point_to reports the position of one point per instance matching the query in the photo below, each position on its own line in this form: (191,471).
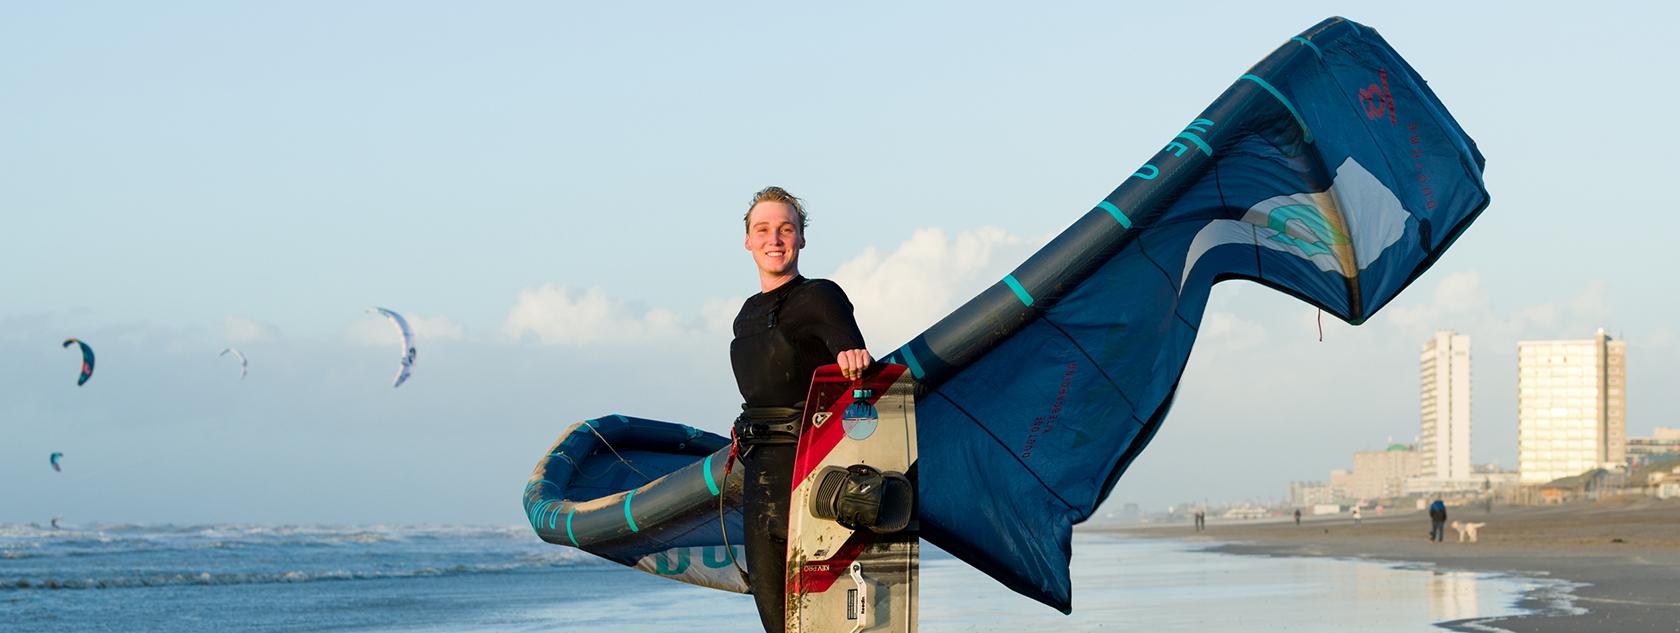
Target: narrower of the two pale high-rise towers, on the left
(1444,390)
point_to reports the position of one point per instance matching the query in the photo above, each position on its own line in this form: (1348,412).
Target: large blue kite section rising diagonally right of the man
(1328,172)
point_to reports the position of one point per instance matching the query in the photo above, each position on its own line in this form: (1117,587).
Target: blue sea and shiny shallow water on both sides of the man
(451,578)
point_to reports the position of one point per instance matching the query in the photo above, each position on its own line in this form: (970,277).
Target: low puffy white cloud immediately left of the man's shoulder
(559,315)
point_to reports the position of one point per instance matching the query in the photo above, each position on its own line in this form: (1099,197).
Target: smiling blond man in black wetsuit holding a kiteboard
(780,338)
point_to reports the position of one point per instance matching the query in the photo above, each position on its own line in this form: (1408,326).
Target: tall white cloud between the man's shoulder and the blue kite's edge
(900,295)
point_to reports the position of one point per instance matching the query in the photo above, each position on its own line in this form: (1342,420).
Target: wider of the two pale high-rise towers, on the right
(1570,407)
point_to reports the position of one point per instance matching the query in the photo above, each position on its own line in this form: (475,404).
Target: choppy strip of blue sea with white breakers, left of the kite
(107,557)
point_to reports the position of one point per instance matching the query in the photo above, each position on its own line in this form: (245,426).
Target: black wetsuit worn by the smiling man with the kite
(782,338)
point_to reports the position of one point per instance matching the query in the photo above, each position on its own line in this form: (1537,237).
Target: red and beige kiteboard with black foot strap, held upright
(854,468)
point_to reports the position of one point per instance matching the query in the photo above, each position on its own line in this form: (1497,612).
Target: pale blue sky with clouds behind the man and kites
(552,194)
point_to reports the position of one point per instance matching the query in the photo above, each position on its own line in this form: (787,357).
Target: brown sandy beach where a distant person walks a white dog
(1625,553)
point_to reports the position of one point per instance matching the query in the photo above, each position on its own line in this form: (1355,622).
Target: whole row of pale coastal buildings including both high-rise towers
(1572,426)
